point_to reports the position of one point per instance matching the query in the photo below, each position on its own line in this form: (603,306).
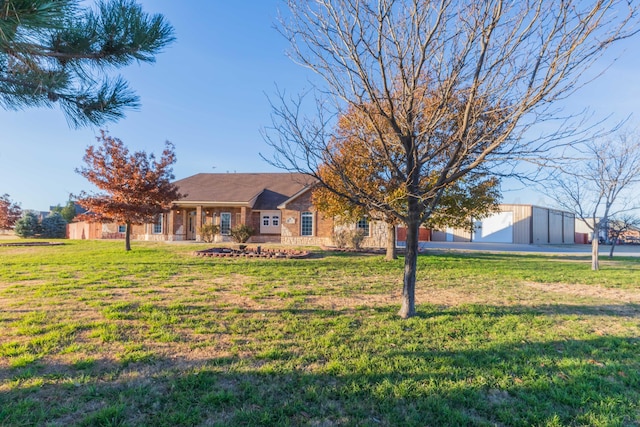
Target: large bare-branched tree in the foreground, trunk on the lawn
(457,82)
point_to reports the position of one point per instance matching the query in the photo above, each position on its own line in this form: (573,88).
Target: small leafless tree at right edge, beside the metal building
(596,183)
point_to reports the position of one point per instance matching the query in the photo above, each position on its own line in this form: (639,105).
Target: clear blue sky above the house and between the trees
(207,93)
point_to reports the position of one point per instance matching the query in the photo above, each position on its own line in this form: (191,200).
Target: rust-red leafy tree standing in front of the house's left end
(135,187)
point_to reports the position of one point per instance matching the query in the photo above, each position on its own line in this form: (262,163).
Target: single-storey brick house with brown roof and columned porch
(277,206)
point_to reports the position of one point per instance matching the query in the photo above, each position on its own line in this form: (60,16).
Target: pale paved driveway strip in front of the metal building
(620,250)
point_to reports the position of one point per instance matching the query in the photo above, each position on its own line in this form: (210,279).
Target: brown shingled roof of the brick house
(260,191)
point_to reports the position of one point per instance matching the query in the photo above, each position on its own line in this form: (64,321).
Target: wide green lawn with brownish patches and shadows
(92,335)
